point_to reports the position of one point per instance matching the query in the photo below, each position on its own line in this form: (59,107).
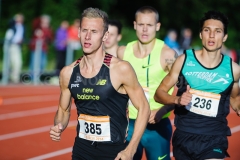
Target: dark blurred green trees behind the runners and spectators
(174,14)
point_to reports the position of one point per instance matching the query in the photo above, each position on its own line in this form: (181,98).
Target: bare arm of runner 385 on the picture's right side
(138,98)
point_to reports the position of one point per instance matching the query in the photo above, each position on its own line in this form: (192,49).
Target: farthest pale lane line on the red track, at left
(30,99)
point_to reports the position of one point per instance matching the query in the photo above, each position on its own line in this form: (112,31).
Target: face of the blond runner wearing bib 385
(91,34)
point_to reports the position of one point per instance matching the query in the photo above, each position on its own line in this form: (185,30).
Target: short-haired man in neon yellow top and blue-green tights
(151,60)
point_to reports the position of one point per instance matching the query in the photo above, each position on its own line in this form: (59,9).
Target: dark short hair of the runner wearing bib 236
(216,15)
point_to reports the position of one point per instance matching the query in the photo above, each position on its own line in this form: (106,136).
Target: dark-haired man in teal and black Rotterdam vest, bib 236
(208,84)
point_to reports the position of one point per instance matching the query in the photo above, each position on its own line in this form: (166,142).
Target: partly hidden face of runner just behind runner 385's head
(113,37)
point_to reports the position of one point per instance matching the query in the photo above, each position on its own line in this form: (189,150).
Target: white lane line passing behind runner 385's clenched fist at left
(31,131)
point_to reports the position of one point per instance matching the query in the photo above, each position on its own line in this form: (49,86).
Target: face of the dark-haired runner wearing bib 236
(212,35)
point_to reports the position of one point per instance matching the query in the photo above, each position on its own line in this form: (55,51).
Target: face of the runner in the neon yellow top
(146,26)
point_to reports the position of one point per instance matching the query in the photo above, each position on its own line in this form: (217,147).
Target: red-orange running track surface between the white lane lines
(38,144)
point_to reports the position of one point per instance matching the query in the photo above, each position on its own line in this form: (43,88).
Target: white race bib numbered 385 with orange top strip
(94,128)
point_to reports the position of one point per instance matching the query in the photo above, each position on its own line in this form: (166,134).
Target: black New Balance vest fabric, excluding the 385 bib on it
(97,97)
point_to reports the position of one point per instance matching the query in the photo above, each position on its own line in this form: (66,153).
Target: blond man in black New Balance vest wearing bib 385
(101,94)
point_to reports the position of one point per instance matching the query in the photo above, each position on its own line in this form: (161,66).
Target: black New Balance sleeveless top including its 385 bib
(102,111)
